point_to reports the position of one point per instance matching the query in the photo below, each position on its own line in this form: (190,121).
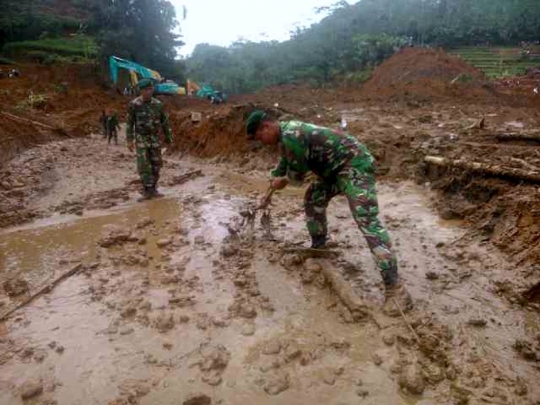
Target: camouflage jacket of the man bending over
(306,147)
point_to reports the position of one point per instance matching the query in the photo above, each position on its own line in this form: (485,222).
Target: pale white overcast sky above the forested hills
(221,22)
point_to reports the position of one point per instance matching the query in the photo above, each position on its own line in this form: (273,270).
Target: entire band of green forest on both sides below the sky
(346,44)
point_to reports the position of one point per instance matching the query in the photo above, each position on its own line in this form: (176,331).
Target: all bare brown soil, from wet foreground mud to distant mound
(167,303)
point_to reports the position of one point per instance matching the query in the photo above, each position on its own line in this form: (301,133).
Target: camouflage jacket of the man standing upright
(144,121)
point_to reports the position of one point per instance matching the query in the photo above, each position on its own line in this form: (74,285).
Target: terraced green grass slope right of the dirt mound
(498,61)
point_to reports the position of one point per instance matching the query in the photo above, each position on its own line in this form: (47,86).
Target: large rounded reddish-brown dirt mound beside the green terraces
(425,74)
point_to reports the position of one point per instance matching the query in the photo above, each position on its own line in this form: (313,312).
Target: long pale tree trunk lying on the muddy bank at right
(487,169)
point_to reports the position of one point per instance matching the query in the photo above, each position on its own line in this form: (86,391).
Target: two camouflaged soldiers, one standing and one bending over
(342,164)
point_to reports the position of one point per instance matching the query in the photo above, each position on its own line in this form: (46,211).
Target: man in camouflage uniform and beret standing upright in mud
(145,118)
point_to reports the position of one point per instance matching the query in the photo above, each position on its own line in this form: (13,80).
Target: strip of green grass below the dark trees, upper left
(80,45)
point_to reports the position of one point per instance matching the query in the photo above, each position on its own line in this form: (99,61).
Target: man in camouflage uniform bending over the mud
(343,166)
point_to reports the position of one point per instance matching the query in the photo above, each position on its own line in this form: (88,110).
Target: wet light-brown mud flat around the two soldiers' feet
(165,307)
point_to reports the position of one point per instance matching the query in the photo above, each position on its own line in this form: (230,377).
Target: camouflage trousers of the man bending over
(358,185)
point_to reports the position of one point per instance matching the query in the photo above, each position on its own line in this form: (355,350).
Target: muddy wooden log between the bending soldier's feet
(343,290)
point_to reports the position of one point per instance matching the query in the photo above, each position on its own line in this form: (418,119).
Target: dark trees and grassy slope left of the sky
(51,30)
